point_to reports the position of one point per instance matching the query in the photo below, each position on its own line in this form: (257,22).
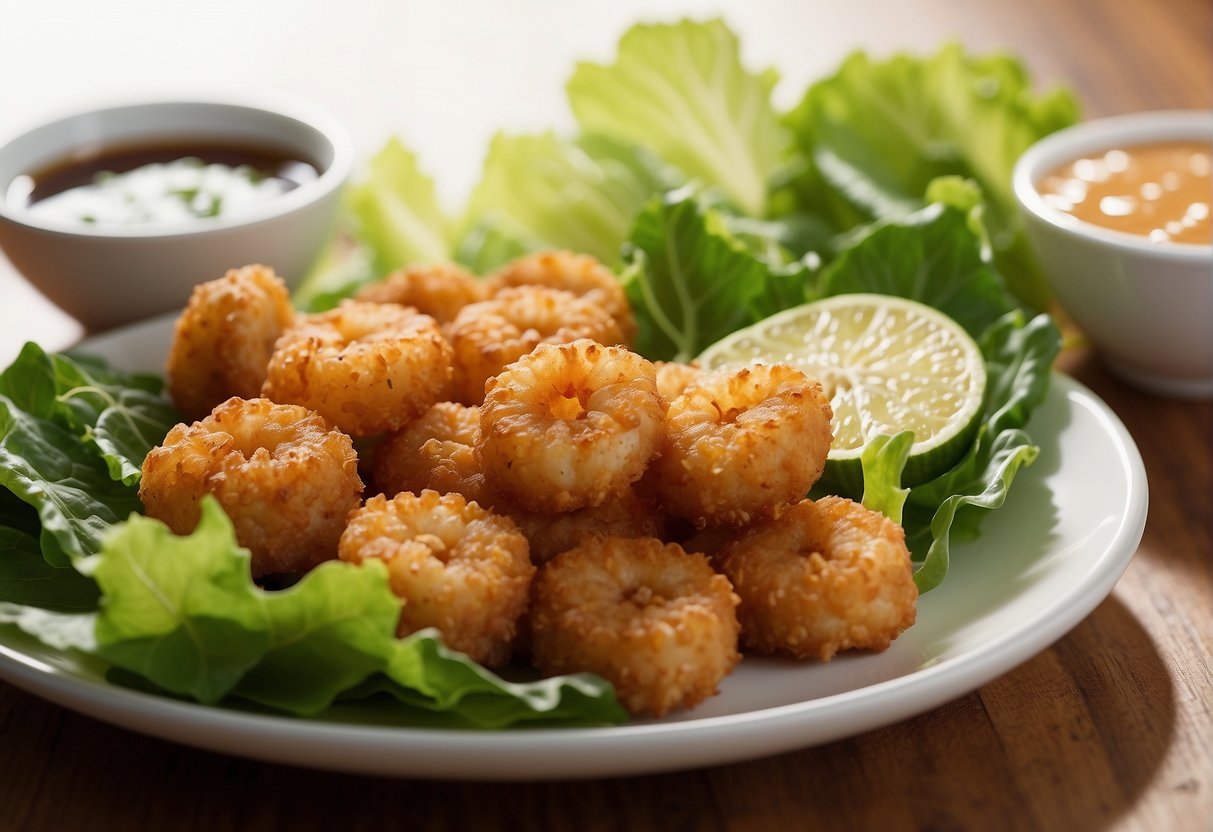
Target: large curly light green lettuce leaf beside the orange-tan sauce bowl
(876,134)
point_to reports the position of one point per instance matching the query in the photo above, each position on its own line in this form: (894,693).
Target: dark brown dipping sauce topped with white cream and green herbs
(157,184)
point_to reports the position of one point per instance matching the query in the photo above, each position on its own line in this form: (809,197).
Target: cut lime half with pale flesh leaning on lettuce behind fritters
(889,364)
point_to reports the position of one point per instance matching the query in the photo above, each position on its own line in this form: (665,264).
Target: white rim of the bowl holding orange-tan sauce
(1106,134)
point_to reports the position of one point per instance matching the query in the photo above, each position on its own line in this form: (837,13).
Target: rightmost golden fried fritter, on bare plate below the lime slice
(823,577)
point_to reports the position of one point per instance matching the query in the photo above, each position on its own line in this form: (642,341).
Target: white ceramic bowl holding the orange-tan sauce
(1147,306)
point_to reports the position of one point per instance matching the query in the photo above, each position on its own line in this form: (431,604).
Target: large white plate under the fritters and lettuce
(1045,561)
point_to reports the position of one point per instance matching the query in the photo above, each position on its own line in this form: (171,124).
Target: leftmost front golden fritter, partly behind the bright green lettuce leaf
(284,477)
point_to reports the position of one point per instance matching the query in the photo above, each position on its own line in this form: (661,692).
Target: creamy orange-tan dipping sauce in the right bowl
(1160,191)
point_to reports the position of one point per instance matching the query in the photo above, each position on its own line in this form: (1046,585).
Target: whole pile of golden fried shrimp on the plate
(538,492)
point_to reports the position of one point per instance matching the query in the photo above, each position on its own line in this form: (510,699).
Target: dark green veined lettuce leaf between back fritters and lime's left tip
(691,282)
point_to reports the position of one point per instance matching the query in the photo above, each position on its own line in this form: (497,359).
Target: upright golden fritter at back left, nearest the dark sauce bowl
(223,341)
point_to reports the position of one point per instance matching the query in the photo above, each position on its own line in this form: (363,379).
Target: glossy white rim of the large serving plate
(523,753)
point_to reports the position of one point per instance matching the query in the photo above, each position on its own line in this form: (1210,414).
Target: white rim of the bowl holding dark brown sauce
(324,126)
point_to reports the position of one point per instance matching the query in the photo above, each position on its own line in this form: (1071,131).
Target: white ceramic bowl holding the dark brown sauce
(107,276)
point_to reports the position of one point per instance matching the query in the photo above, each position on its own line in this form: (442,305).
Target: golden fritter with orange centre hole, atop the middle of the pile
(570,425)
